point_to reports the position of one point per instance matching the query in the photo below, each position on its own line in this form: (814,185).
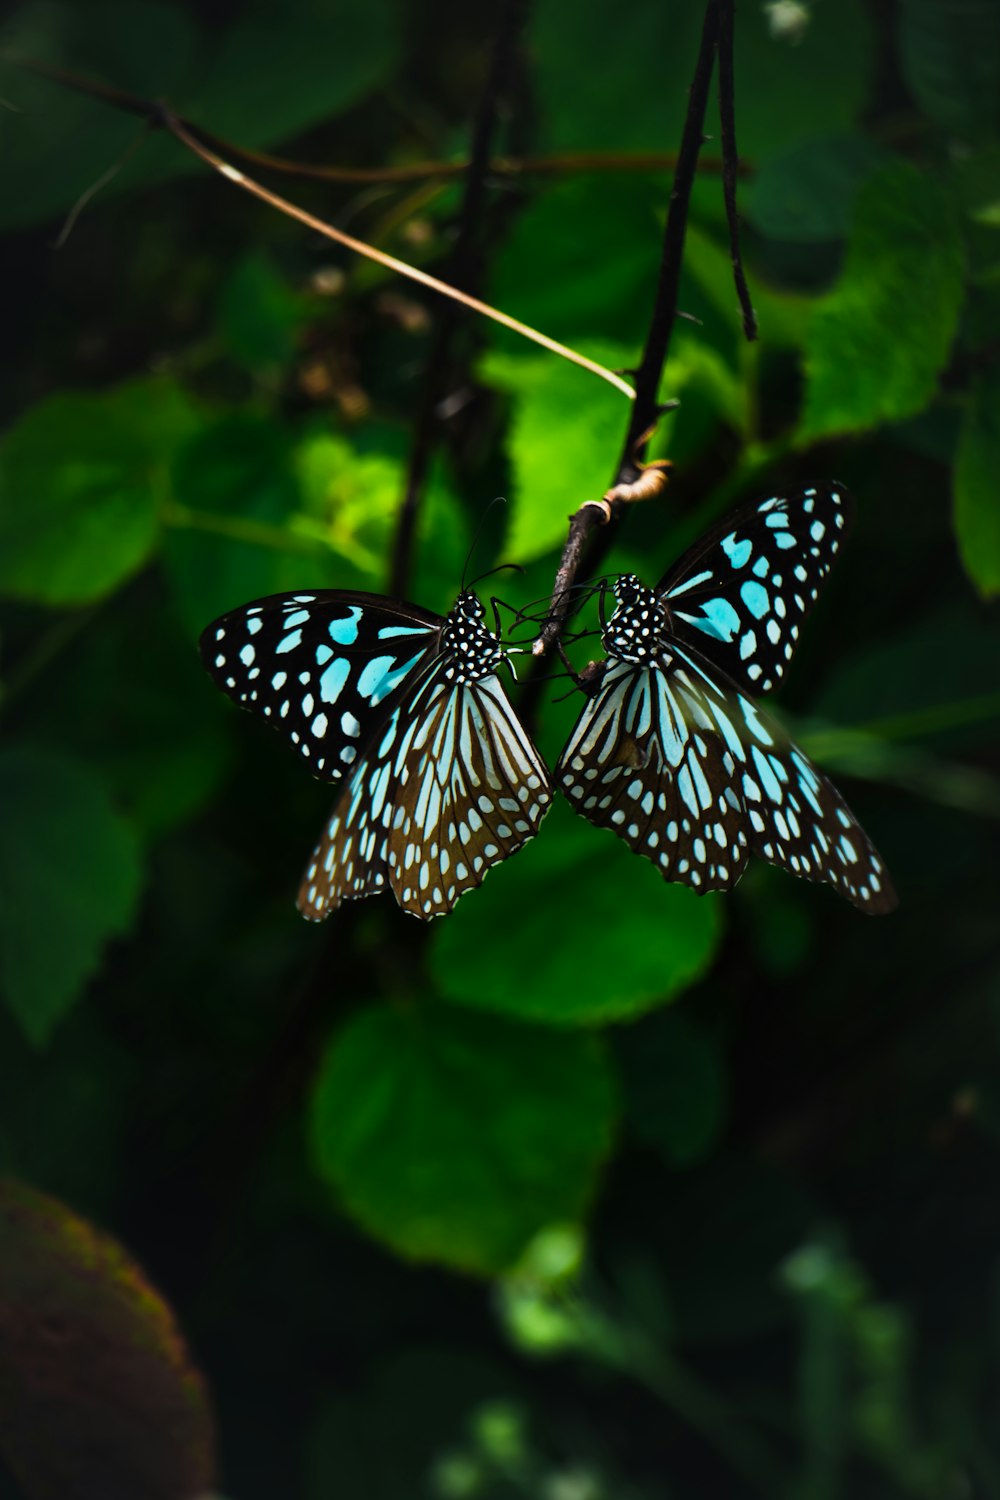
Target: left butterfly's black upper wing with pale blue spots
(323,668)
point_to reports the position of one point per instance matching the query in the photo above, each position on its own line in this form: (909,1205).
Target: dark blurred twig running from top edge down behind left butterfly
(463,272)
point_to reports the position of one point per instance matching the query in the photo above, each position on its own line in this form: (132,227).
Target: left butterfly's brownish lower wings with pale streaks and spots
(452,787)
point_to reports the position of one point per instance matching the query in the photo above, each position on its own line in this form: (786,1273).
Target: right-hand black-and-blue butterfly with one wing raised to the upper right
(675,757)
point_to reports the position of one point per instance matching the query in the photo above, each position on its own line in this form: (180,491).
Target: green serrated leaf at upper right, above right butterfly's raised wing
(879,341)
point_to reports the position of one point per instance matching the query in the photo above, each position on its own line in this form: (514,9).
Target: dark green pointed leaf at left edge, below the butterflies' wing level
(70,883)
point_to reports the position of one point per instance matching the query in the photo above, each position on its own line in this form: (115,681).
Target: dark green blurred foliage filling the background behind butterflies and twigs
(594,1190)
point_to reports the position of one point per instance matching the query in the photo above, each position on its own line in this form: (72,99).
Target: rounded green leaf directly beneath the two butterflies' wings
(576,959)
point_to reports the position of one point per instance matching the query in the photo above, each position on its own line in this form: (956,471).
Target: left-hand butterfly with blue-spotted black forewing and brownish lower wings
(406,712)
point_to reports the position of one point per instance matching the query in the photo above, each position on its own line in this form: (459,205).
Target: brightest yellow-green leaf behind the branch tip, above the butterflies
(564,439)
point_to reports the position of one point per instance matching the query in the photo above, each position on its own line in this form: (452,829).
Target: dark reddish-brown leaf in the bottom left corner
(98,1394)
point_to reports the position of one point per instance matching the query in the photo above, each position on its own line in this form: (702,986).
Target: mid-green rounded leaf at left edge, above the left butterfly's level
(82,482)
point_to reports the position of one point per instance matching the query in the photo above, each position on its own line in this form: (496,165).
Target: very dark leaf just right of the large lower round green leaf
(675,1087)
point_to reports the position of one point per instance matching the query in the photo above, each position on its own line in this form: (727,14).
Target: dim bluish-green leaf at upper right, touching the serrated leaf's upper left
(807,193)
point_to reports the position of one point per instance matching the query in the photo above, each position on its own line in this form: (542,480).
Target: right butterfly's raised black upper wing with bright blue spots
(741,593)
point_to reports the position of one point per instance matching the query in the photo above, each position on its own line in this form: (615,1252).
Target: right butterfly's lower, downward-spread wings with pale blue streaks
(695,776)
